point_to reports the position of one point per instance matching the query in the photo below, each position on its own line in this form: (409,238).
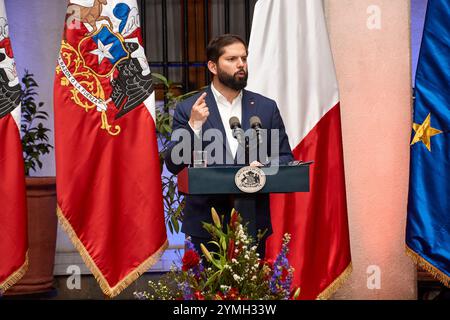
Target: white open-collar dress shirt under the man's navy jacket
(227,110)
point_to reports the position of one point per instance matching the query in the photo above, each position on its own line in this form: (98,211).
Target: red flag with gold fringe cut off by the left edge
(13,212)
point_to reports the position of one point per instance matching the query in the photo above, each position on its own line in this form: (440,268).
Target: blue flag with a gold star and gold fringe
(428,224)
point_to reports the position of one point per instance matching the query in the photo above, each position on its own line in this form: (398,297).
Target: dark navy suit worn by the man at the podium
(198,208)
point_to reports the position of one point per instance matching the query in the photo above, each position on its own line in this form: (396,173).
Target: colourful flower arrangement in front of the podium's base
(233,272)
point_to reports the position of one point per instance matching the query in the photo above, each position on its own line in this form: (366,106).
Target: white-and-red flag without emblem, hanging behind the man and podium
(290,61)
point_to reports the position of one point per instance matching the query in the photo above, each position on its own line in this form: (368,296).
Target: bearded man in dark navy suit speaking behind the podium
(212,109)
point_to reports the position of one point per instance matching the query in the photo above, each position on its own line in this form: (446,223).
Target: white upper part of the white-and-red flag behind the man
(304,85)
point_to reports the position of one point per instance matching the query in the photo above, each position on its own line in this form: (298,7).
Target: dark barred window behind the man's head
(176,33)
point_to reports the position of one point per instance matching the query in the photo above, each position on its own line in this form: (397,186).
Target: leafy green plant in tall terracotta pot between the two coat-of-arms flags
(41,195)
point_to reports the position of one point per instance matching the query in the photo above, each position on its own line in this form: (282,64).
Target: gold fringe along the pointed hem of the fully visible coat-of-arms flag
(104,285)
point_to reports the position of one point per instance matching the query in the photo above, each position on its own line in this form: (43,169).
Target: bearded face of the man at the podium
(231,69)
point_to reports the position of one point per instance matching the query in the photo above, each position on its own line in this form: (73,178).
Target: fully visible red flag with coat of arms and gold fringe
(107,164)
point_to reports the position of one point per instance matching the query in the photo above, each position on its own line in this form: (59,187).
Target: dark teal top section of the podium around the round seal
(221,180)
